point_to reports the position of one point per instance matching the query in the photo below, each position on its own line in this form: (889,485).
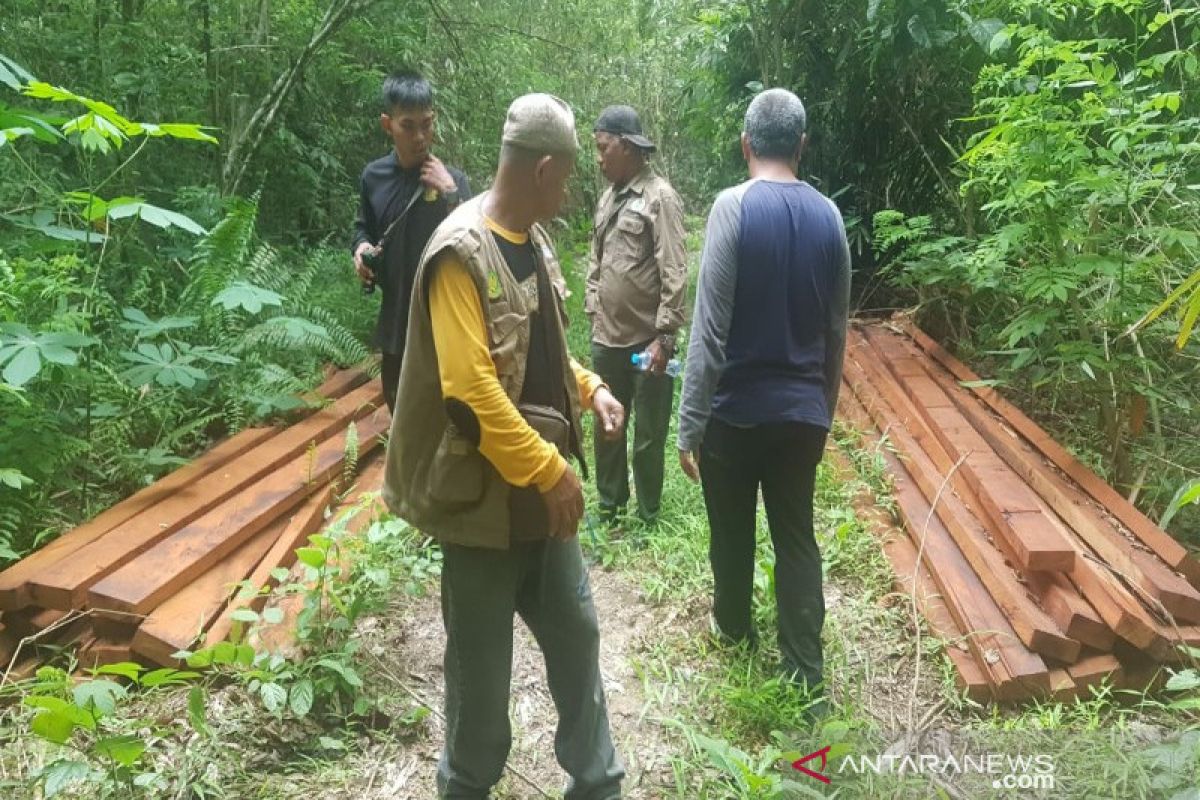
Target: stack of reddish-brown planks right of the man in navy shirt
(1041,579)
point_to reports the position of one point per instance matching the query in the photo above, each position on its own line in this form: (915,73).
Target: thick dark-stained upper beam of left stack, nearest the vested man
(158,574)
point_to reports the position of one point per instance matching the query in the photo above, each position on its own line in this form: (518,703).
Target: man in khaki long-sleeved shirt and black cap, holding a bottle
(638,276)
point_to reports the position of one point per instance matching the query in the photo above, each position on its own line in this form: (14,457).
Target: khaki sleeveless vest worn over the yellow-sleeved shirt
(436,479)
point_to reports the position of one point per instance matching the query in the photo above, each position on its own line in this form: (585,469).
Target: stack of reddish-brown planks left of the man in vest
(159,573)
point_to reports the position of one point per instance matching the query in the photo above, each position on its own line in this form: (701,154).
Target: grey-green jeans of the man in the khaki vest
(548,585)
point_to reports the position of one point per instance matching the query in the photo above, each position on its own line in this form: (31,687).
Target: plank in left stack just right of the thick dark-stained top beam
(177,624)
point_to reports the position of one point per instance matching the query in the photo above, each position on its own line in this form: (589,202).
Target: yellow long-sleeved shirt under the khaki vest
(469,375)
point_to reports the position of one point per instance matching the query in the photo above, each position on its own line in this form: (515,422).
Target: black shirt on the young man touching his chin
(385,191)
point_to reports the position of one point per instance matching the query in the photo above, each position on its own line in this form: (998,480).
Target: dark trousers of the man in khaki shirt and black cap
(649,399)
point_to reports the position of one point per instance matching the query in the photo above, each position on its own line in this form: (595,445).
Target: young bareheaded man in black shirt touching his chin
(403,199)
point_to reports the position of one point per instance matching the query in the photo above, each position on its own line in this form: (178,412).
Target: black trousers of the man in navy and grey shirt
(783,460)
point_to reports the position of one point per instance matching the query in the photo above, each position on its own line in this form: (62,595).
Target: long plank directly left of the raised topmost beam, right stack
(1037,630)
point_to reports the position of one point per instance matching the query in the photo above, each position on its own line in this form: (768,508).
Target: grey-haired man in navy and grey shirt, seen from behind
(761,381)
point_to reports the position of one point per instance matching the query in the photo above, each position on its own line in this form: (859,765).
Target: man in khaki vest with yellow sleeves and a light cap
(488,413)
